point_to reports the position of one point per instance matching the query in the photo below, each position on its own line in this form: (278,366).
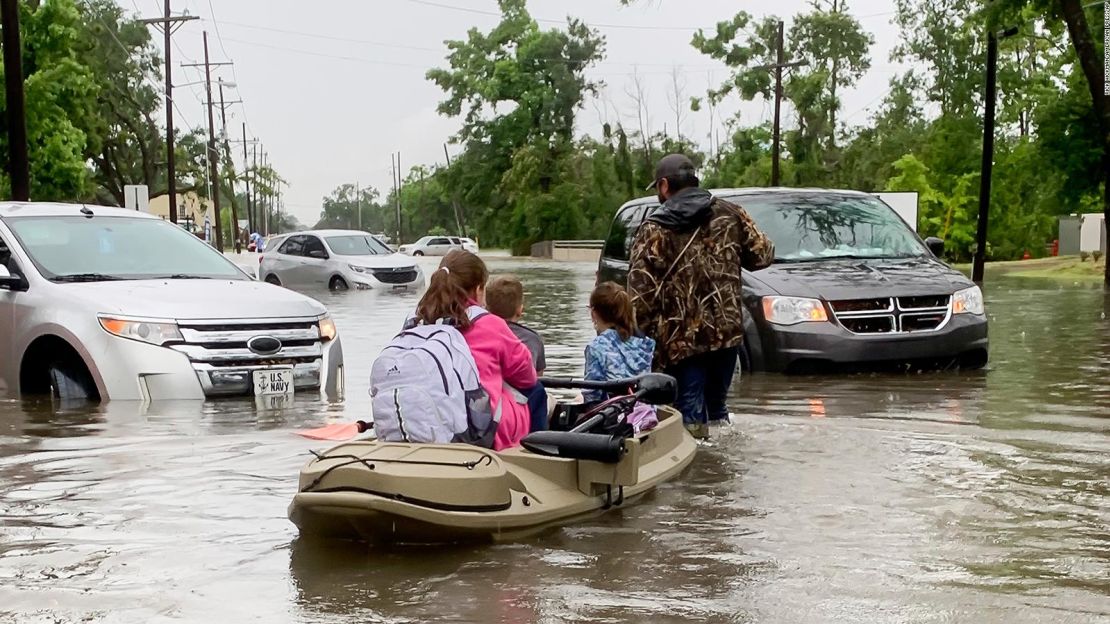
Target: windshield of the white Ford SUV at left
(122,248)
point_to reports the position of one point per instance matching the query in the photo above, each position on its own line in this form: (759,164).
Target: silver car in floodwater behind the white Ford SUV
(340,259)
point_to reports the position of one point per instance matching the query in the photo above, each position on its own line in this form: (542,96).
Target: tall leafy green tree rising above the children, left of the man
(518,89)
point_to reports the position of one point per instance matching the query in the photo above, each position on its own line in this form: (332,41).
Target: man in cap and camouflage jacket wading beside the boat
(684,277)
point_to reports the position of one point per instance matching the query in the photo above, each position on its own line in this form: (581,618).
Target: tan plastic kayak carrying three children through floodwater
(442,494)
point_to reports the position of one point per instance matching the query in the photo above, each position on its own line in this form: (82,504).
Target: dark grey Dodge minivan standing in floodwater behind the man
(853,287)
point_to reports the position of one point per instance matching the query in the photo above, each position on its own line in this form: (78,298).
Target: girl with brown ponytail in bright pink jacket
(504,364)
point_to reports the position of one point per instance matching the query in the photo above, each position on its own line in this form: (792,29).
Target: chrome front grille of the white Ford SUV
(225,364)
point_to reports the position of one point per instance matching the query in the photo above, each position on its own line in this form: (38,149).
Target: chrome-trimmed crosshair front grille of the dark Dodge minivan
(893,315)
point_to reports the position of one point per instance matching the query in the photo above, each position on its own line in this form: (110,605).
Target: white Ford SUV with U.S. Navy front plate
(117,305)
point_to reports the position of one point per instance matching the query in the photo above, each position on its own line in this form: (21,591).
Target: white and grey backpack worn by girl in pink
(426,388)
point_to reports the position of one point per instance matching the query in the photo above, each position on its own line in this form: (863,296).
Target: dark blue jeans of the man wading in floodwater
(703,385)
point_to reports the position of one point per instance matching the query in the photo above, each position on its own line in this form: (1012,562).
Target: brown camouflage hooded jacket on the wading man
(684,275)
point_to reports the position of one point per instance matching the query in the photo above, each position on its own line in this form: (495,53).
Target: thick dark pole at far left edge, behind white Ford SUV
(18,163)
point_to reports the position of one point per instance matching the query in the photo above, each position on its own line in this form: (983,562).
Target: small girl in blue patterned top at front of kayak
(620,351)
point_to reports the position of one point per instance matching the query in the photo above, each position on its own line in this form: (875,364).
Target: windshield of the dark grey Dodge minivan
(810,227)
